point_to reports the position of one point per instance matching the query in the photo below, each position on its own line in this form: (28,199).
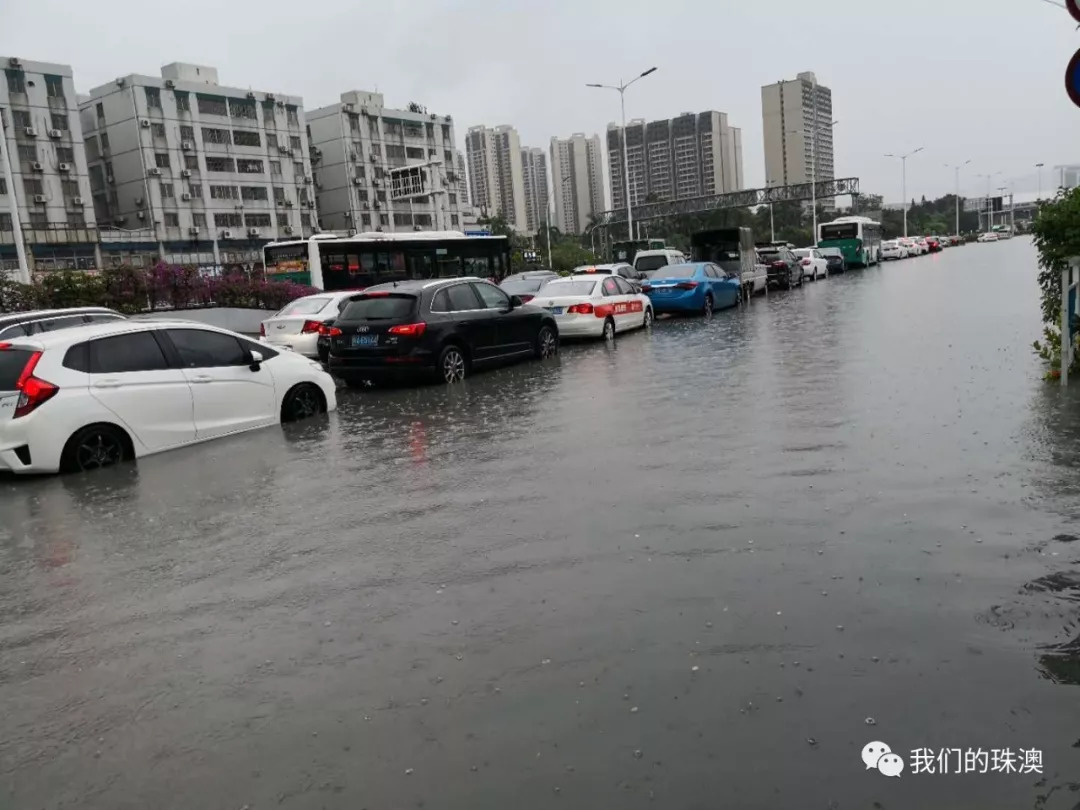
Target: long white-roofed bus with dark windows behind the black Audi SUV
(329,262)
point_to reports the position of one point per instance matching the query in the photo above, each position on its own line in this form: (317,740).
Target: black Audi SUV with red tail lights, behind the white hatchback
(441,329)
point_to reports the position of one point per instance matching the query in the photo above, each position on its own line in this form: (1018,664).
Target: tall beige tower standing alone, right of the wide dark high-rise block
(796,118)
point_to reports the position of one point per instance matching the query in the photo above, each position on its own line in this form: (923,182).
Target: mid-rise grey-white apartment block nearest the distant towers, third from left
(359,142)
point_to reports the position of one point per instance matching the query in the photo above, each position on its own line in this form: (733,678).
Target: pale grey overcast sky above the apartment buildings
(979,79)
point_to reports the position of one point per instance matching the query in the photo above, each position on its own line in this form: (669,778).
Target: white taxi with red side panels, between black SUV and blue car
(595,306)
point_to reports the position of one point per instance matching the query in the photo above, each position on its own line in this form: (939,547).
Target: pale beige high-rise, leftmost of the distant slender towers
(496,174)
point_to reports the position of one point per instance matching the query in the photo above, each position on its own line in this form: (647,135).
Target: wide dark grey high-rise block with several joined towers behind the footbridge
(693,155)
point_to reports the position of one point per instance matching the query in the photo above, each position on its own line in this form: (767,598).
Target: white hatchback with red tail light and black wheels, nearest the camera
(92,397)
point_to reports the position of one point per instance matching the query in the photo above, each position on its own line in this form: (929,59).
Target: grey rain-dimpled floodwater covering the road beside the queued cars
(701,569)
